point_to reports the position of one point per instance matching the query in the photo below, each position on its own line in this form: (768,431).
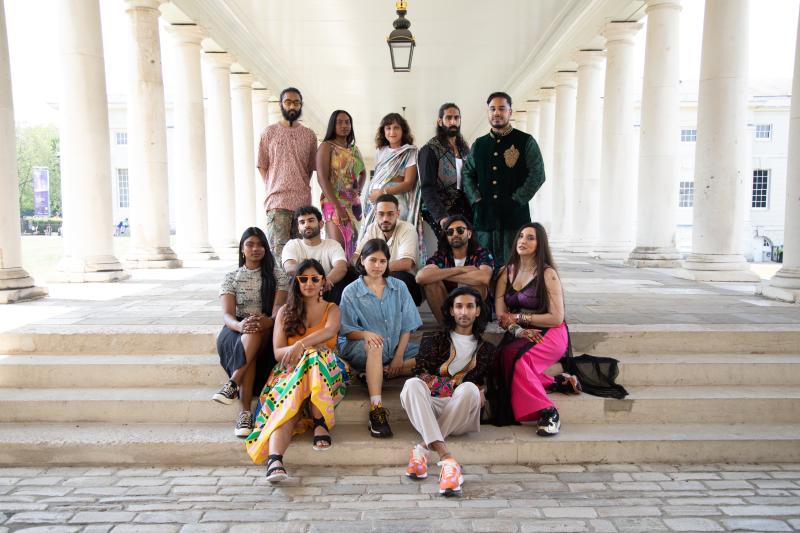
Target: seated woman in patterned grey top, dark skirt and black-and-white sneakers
(250,296)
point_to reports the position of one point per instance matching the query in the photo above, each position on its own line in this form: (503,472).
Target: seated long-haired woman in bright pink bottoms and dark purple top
(530,306)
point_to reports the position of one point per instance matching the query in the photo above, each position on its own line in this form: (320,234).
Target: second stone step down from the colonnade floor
(203,370)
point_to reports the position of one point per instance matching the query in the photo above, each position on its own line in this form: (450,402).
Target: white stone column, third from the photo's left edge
(147,141)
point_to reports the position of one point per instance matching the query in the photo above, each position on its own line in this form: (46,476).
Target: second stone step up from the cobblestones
(738,404)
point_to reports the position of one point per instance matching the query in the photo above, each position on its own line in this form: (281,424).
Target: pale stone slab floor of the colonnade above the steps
(597,293)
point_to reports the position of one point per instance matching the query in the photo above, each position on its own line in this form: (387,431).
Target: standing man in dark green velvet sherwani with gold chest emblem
(500,176)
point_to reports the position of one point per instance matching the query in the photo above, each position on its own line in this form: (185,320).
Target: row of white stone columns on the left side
(238,108)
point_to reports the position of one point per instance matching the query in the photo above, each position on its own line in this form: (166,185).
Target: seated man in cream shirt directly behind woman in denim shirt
(402,239)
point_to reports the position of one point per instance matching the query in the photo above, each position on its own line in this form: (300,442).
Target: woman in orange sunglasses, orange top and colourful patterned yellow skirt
(308,381)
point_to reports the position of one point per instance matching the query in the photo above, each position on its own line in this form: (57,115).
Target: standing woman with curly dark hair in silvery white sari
(395,170)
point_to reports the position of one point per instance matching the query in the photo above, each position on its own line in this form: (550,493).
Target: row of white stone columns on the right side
(601,203)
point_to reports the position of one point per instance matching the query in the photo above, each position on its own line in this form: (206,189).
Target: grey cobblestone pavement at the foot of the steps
(601,498)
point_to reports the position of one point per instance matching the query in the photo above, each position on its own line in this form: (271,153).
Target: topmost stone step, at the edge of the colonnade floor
(598,339)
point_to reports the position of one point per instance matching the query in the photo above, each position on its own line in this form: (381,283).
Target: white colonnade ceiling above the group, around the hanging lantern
(335,51)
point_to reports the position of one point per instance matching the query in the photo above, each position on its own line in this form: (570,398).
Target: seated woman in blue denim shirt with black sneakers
(378,316)
